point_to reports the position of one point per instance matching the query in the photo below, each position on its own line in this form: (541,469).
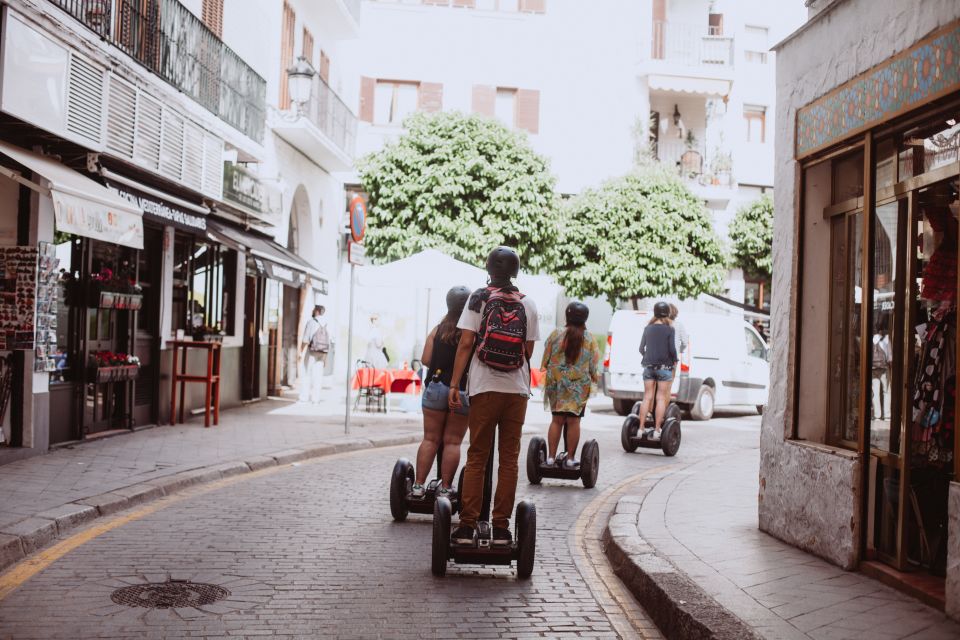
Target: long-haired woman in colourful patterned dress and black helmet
(570,357)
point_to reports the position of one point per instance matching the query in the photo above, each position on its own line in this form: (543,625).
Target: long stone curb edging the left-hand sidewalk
(21,539)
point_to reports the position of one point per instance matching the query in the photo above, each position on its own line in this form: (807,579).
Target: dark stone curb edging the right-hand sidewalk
(680,608)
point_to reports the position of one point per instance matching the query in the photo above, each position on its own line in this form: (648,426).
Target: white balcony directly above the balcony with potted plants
(689,59)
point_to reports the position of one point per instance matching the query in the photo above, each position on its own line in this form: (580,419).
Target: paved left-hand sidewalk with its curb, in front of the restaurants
(44,495)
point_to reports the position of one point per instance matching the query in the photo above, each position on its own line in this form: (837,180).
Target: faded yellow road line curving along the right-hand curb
(599,576)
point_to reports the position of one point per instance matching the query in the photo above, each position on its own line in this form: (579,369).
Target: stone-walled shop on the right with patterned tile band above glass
(858,453)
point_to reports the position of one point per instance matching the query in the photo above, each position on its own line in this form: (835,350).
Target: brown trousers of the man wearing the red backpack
(487,411)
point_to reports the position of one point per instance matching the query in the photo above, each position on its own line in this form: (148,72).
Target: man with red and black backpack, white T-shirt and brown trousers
(502,323)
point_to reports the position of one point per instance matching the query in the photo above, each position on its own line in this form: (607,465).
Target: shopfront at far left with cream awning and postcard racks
(68,319)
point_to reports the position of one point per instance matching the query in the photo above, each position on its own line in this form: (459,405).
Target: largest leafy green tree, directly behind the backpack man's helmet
(461,184)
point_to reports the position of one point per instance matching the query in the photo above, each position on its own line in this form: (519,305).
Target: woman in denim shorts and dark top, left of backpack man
(441,425)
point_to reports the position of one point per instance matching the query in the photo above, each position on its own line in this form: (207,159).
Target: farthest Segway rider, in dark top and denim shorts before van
(659,349)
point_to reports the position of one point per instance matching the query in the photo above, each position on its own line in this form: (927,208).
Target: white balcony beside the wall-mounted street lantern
(325,129)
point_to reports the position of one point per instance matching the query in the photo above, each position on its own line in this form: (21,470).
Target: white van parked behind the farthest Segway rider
(725,363)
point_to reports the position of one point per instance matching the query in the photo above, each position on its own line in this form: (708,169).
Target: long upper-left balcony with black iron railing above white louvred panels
(166,38)
